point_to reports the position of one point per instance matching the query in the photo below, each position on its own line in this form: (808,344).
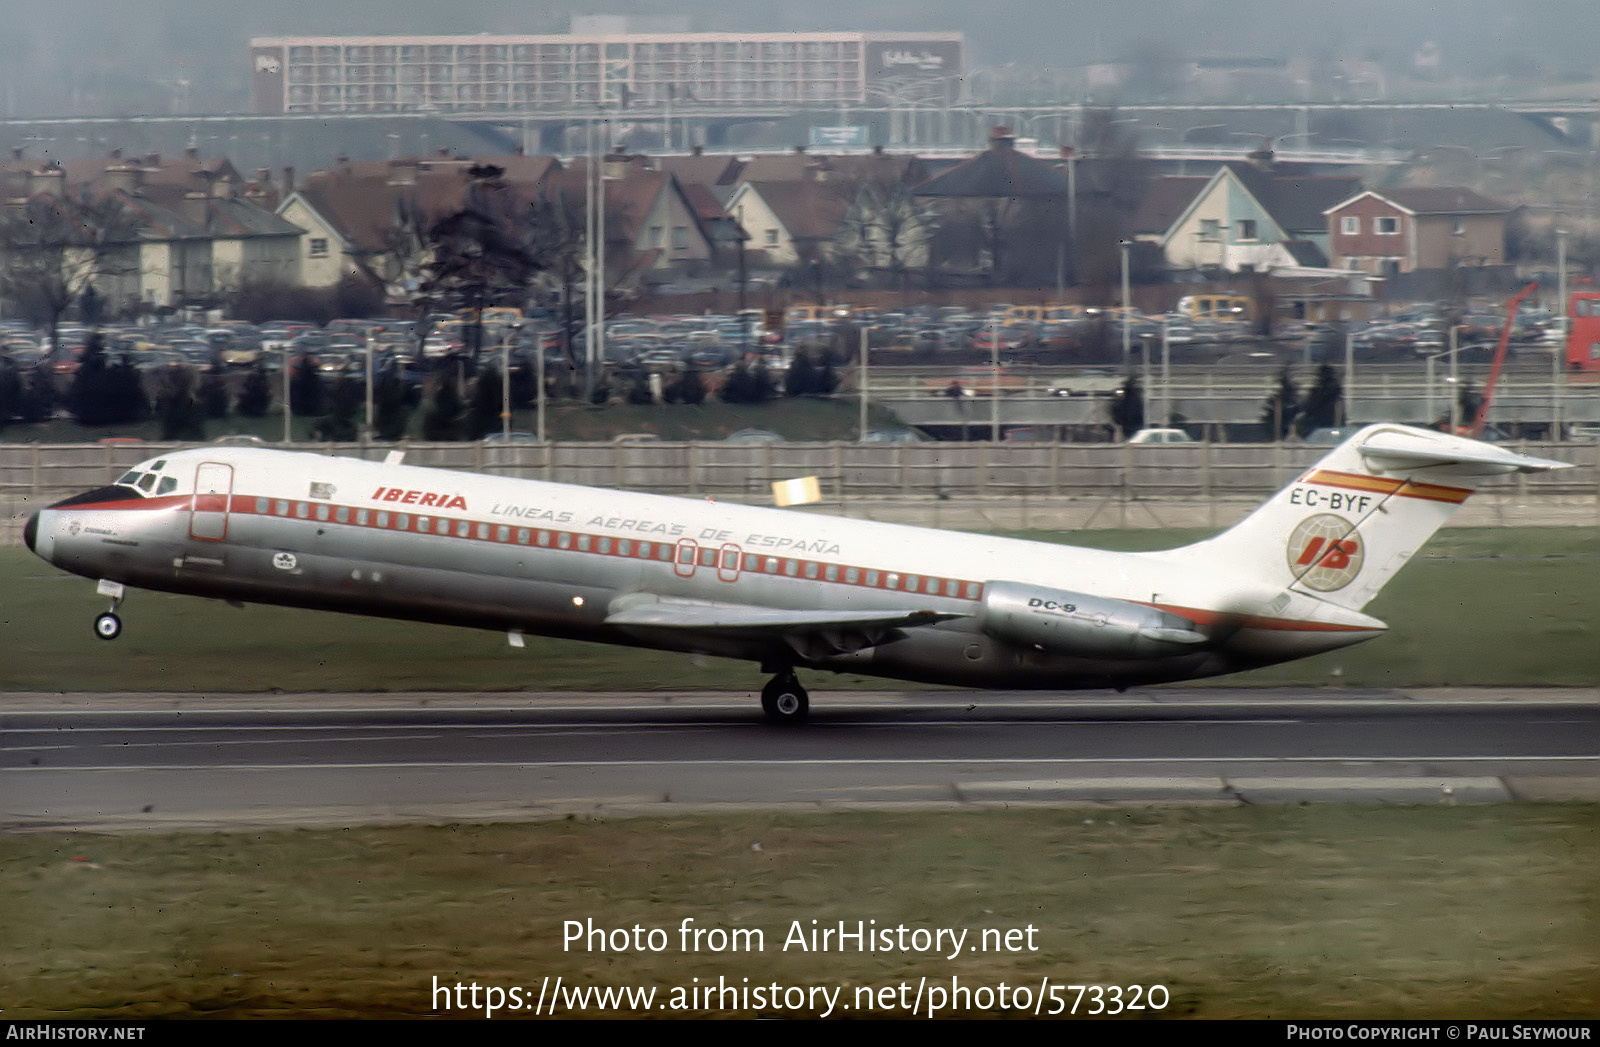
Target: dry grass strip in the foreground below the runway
(1326,912)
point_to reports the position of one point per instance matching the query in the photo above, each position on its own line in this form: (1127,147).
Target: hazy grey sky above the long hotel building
(63,54)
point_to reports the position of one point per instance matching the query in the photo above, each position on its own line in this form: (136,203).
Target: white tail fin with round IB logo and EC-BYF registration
(1346,526)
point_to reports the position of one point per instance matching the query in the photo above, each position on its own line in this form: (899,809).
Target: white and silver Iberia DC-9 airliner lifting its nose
(777,587)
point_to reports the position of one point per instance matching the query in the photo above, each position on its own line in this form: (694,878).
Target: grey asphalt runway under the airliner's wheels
(140,763)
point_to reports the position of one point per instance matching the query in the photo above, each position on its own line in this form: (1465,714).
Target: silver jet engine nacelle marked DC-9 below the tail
(1076,624)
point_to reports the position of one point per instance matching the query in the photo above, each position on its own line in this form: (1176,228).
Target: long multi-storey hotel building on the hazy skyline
(622,71)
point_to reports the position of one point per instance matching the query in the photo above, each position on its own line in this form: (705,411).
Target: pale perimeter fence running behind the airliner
(937,484)
